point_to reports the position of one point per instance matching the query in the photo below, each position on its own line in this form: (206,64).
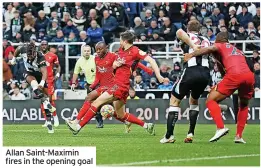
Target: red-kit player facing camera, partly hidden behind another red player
(104,78)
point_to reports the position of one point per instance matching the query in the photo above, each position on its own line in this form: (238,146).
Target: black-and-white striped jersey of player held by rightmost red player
(196,61)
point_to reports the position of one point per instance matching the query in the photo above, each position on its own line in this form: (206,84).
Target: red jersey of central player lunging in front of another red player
(127,58)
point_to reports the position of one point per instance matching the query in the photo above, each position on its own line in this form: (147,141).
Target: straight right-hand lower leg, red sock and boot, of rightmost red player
(241,120)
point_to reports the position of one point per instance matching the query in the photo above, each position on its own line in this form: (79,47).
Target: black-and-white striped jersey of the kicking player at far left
(32,65)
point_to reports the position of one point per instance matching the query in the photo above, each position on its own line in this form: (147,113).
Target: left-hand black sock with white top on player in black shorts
(171,121)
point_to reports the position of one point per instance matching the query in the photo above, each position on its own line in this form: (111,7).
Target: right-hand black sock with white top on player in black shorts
(193,116)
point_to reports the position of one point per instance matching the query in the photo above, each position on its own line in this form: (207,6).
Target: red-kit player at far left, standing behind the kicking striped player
(51,61)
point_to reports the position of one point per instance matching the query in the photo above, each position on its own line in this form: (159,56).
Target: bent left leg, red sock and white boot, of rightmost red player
(215,112)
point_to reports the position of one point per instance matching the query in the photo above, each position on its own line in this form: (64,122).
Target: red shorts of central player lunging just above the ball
(120,92)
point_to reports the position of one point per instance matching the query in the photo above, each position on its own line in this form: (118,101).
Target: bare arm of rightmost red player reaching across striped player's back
(202,51)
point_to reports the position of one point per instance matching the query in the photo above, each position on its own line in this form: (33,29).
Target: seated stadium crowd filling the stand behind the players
(94,22)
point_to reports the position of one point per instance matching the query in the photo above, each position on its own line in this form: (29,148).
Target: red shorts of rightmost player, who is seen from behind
(243,82)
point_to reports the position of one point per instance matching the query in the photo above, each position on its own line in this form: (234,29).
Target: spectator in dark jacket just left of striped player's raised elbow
(168,30)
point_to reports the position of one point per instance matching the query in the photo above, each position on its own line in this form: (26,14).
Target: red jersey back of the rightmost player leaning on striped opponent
(232,58)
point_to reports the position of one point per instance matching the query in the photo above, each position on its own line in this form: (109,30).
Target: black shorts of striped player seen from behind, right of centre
(194,79)
